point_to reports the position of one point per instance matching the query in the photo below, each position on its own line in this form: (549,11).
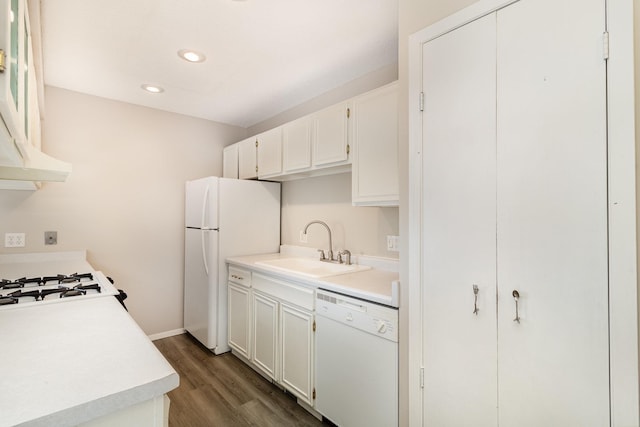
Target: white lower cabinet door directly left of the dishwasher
(297,350)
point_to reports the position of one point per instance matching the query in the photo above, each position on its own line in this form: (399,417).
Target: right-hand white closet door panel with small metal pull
(552,215)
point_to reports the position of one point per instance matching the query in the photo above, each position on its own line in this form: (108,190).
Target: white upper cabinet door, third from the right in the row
(296,145)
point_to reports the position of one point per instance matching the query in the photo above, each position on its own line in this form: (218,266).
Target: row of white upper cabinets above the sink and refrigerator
(326,142)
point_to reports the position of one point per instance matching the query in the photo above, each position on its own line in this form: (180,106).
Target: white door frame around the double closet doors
(623,288)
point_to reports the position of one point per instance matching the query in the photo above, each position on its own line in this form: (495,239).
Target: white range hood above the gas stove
(35,166)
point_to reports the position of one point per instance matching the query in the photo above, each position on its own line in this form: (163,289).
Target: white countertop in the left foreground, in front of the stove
(63,364)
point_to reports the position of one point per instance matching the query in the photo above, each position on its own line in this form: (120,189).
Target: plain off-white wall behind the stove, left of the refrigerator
(123,201)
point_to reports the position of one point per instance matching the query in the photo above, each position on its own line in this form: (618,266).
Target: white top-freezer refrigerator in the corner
(224,218)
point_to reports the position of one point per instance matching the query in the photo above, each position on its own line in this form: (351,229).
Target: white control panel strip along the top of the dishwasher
(367,316)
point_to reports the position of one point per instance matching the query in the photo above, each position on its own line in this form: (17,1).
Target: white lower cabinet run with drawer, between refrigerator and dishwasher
(271,325)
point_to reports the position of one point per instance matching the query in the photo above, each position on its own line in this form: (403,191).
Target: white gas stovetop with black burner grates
(36,279)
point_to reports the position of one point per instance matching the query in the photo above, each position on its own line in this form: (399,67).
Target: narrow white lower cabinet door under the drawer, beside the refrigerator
(239,319)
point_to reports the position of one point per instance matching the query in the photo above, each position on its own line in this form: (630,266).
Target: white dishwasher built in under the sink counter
(356,361)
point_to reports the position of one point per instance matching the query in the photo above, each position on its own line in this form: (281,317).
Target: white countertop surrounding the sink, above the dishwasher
(377,285)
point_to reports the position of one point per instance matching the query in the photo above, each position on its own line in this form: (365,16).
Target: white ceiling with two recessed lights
(263,56)
